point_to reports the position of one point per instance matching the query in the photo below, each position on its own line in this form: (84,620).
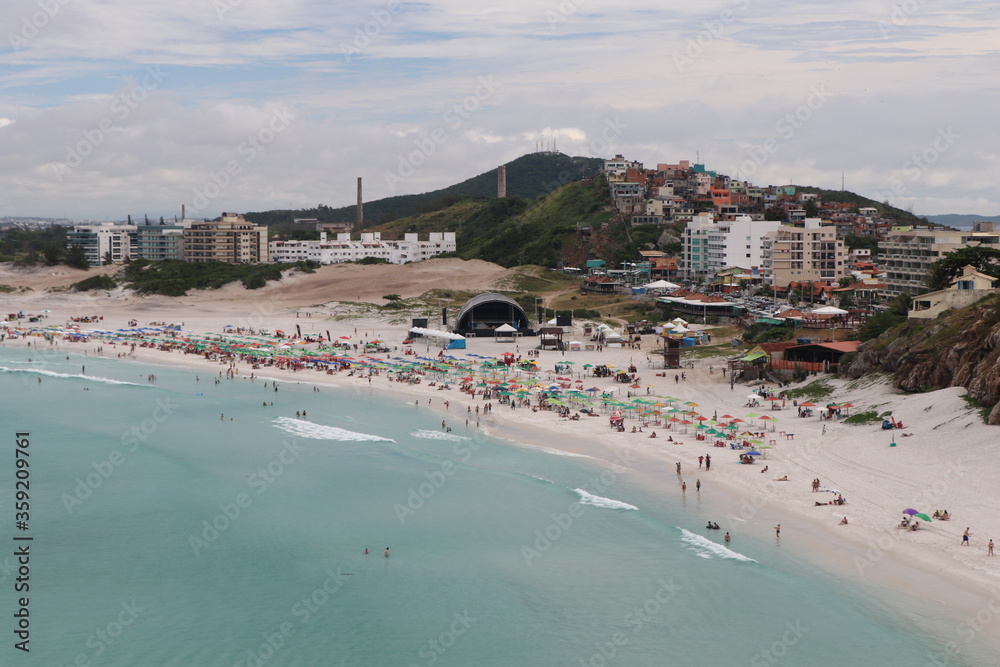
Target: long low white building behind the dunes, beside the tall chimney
(343,249)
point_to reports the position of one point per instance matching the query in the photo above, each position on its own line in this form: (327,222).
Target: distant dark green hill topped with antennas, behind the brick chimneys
(528,176)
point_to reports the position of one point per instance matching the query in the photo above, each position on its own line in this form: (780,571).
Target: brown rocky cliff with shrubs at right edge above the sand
(961,348)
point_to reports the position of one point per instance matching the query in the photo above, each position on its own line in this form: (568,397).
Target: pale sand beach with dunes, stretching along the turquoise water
(947,463)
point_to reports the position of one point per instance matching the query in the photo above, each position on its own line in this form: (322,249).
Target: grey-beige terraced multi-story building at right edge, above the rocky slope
(906,256)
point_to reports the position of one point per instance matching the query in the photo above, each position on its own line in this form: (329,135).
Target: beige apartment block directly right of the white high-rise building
(797,254)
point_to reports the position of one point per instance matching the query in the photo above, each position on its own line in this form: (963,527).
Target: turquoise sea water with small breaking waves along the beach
(164,535)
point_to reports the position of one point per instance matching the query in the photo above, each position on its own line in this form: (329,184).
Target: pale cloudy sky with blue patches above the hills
(115,107)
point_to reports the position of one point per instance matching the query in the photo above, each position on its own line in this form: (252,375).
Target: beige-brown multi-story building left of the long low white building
(232,240)
